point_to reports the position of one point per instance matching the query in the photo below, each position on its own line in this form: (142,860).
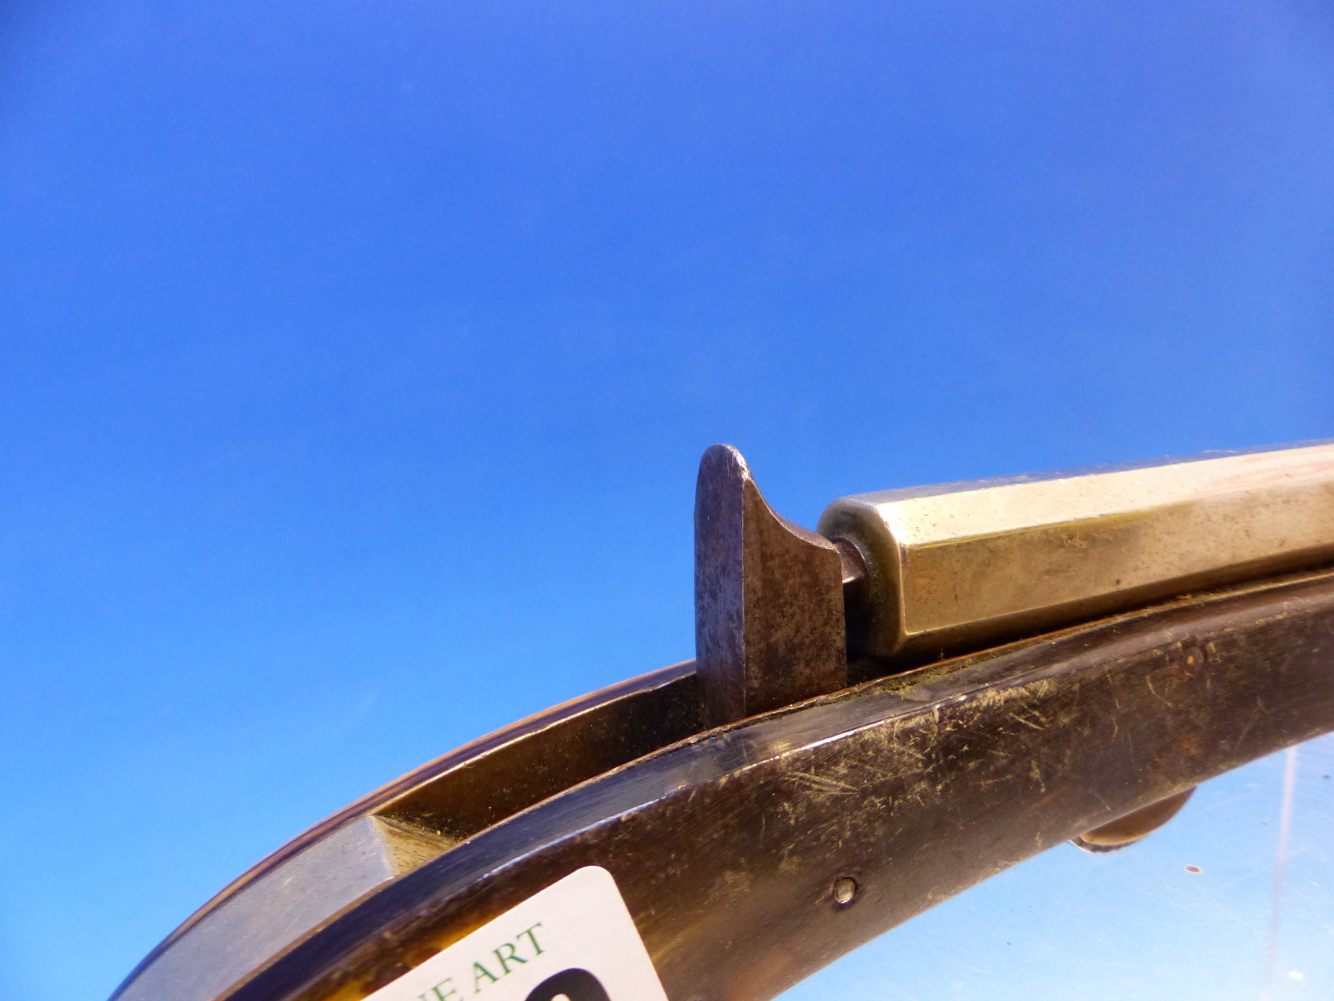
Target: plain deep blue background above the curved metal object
(356,357)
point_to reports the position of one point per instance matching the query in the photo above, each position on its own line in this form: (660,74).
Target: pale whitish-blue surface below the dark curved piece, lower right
(1136,924)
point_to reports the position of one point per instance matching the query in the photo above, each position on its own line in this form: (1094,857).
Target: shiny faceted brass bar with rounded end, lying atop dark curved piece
(966,565)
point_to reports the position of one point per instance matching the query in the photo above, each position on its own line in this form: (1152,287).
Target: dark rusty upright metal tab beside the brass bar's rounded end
(769,600)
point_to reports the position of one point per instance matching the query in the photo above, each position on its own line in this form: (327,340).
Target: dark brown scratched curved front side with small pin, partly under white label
(729,847)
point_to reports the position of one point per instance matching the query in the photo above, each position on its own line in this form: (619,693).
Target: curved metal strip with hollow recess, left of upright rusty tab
(406,824)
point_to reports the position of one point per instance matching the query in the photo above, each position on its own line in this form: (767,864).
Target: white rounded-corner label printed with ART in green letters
(574,942)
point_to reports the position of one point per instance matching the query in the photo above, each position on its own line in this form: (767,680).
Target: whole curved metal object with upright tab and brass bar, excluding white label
(814,816)
